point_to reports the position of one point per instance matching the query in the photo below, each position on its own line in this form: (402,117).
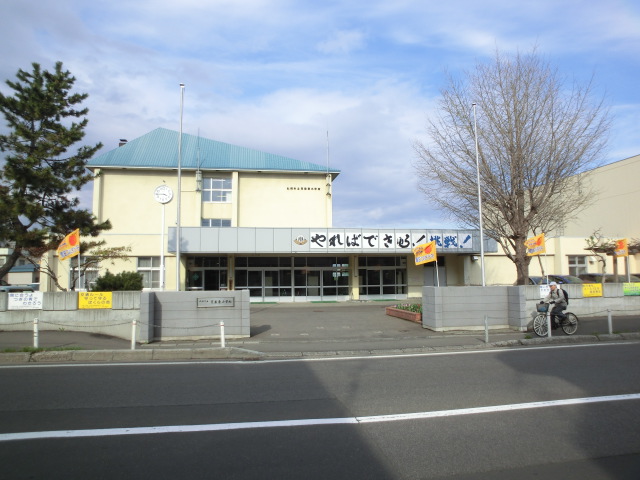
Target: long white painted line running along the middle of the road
(107,432)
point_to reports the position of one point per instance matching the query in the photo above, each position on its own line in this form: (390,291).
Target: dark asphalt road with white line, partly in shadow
(489,414)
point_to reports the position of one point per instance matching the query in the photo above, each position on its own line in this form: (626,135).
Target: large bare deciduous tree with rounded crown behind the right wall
(536,138)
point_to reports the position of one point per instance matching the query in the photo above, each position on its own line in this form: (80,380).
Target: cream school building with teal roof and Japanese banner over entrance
(199,214)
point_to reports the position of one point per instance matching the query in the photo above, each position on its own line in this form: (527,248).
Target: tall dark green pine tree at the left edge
(41,168)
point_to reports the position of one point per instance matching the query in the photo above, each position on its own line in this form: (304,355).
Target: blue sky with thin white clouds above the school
(276,75)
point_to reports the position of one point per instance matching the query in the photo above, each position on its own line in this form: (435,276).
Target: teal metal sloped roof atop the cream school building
(158,149)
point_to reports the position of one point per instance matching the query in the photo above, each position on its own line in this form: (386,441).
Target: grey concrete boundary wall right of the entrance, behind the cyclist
(514,307)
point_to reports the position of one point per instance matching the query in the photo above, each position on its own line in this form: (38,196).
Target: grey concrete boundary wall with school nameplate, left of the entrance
(159,315)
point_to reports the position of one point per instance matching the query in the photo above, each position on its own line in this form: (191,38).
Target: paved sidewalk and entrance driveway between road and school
(301,330)
